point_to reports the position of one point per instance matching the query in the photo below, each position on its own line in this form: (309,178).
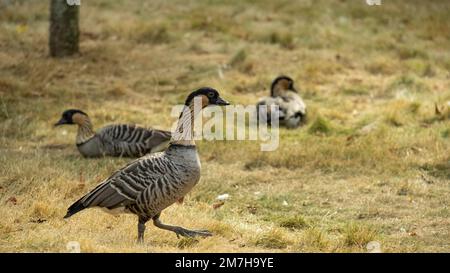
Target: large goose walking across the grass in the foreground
(151,183)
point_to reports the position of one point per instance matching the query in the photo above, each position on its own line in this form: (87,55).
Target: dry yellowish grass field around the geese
(371,164)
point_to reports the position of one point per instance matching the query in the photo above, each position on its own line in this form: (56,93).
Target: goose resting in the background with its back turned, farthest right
(292,109)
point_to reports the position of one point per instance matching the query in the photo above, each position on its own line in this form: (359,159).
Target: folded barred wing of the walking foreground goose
(124,186)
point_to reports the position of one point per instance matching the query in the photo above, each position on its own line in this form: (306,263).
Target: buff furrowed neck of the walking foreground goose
(184,133)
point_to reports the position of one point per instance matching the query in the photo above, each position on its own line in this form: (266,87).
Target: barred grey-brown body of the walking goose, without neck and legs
(147,185)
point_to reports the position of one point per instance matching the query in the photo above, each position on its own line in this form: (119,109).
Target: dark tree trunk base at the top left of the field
(64,31)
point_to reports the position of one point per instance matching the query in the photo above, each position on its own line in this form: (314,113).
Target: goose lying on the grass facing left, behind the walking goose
(114,140)
